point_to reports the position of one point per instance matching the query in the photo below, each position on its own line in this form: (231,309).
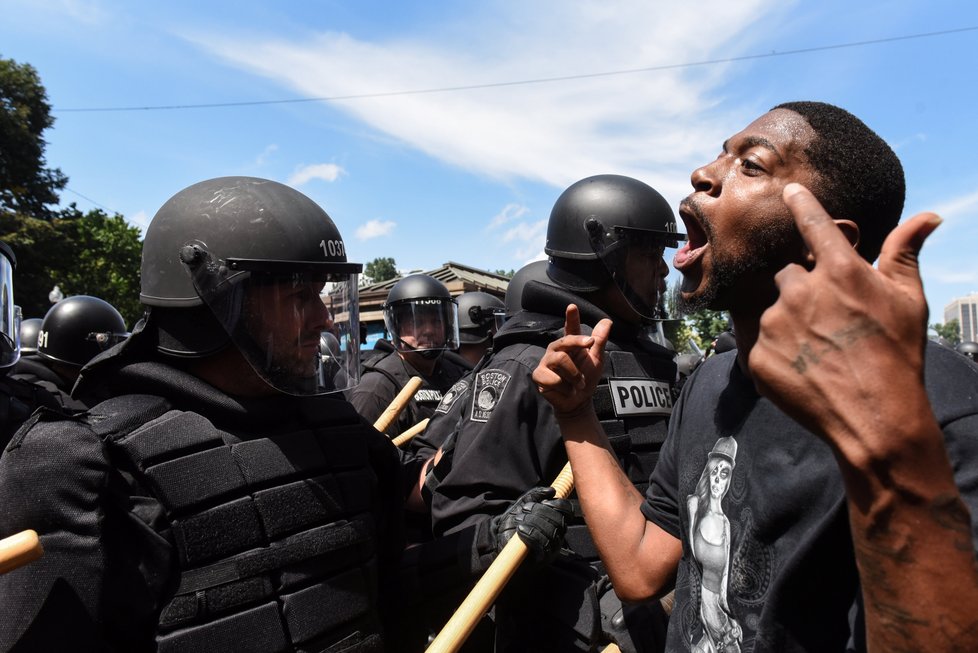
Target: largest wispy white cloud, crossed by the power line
(655,125)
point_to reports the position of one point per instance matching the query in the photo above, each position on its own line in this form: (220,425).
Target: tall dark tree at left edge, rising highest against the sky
(27,186)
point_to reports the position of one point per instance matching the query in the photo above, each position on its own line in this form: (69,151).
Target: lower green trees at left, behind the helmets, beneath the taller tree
(83,253)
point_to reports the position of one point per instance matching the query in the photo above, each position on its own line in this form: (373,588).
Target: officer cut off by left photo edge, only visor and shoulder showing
(18,398)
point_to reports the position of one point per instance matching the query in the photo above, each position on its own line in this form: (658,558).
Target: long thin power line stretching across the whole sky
(524,82)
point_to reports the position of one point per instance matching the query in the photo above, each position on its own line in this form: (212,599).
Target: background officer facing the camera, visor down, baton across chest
(422,318)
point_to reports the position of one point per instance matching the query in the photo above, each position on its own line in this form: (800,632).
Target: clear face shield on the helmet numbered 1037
(296,323)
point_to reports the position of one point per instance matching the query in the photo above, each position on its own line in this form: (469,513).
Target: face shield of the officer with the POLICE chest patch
(634,258)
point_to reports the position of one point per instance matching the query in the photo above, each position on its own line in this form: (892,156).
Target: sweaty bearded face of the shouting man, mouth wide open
(740,231)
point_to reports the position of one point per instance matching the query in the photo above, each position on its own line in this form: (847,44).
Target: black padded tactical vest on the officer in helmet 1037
(274,536)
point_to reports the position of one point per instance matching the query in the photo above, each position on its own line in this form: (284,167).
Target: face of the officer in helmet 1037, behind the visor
(285,320)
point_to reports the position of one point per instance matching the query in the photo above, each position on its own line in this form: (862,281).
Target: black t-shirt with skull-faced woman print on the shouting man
(771,564)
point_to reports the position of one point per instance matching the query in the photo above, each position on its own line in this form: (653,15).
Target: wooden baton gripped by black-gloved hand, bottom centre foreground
(482,596)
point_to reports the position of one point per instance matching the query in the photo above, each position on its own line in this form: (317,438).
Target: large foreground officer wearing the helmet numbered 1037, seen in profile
(221,498)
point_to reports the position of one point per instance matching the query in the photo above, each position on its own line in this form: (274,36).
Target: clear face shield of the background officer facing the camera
(427,326)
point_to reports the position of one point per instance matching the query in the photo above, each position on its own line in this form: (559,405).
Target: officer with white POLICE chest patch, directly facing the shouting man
(606,238)
